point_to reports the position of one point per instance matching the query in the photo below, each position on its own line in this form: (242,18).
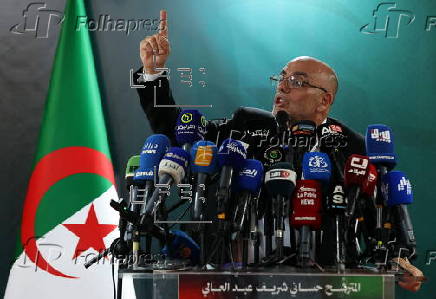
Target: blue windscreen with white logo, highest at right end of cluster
(380,145)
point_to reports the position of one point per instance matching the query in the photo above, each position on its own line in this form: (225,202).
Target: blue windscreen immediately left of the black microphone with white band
(250,177)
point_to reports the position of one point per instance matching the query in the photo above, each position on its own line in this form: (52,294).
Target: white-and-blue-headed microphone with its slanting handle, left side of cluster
(172,169)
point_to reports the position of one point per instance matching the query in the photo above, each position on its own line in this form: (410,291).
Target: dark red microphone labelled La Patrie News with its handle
(306,215)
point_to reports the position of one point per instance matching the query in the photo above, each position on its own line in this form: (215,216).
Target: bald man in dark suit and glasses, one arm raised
(305,88)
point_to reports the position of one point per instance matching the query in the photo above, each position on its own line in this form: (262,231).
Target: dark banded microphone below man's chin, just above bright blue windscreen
(303,133)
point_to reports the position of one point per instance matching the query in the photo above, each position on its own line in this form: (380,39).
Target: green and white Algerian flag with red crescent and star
(66,215)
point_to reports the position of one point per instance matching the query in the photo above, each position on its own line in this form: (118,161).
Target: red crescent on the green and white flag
(52,168)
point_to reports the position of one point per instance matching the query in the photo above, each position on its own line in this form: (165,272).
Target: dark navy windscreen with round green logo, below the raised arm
(190,127)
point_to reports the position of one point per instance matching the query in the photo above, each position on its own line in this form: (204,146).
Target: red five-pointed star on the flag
(90,233)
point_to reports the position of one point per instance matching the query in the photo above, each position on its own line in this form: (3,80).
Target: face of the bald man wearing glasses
(300,103)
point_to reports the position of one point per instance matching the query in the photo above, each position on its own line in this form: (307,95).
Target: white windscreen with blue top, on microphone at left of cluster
(174,163)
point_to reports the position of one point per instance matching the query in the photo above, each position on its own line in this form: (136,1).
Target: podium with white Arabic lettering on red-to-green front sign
(283,282)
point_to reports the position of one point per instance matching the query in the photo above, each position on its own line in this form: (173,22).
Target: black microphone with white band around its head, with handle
(280,182)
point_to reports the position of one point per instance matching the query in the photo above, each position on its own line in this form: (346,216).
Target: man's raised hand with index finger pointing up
(155,49)
